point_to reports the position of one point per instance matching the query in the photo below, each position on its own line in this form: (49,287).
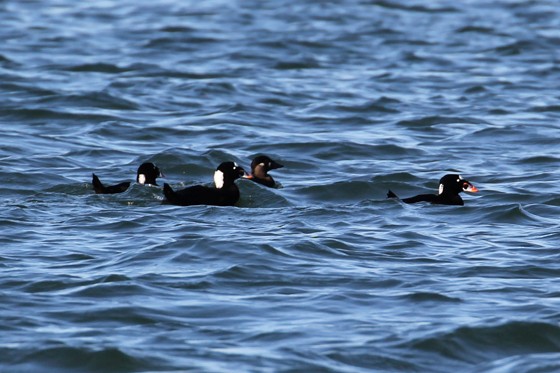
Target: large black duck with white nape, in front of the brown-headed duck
(224,193)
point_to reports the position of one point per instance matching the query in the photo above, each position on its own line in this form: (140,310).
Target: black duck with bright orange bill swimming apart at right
(450,186)
